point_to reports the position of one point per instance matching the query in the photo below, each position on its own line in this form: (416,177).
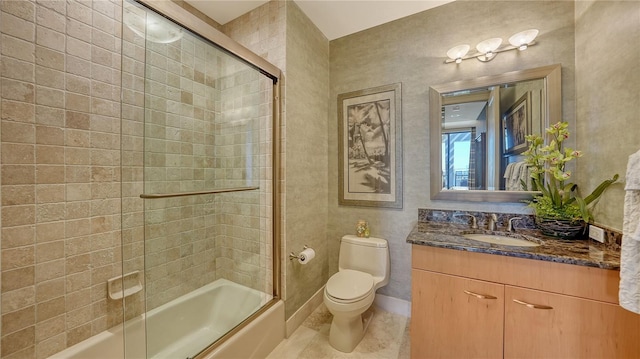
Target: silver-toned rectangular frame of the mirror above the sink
(553,110)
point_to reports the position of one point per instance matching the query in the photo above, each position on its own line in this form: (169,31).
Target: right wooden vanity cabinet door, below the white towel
(545,325)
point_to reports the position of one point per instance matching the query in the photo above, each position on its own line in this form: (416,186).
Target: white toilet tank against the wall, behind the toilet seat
(369,255)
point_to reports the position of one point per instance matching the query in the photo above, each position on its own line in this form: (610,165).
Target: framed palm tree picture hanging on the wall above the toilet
(370,147)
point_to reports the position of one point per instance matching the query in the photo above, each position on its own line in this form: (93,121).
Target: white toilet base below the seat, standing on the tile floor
(347,332)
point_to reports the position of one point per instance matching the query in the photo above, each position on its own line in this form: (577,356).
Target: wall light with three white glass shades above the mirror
(488,49)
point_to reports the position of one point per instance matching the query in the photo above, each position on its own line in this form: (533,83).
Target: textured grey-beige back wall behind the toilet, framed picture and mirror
(412,51)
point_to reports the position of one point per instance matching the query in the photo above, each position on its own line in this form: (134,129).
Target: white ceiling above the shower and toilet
(335,18)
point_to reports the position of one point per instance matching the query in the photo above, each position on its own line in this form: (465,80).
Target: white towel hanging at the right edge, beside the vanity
(629,294)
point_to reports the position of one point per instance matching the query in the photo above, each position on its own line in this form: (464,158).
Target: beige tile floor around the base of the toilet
(386,338)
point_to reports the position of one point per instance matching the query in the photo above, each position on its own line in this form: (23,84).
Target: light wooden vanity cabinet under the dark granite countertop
(541,309)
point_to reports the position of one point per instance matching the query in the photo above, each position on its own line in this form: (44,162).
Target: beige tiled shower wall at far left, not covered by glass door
(60,137)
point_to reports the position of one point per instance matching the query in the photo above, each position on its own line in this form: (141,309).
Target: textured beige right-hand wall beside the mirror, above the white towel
(607,98)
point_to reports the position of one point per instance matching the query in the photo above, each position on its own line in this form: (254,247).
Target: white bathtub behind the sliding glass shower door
(182,327)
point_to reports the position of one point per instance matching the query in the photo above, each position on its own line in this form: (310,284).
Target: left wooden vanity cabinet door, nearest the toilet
(454,317)
